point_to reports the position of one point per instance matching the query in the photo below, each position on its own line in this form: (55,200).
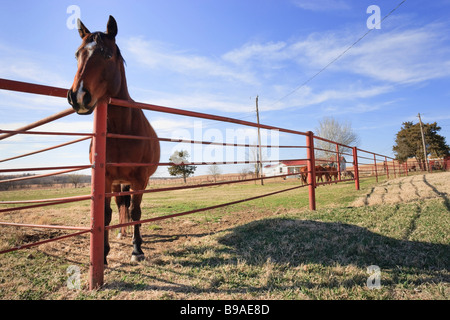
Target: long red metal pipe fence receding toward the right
(363,164)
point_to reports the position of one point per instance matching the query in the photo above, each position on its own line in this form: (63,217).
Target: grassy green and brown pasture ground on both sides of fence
(271,248)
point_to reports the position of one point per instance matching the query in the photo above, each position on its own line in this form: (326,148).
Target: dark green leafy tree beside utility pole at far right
(408,142)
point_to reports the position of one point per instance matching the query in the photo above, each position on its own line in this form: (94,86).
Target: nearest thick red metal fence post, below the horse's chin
(98,198)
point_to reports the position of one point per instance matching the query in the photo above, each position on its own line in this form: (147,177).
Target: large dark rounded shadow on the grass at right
(295,242)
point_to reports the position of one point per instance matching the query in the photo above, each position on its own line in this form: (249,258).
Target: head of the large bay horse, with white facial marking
(98,76)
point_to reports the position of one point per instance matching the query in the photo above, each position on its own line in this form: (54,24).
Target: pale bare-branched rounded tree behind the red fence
(331,129)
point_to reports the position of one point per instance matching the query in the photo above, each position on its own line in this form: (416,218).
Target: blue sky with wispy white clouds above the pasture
(217,56)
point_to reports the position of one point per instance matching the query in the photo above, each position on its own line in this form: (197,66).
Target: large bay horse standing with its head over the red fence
(100,76)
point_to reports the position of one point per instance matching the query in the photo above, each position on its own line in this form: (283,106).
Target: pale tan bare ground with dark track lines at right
(407,189)
